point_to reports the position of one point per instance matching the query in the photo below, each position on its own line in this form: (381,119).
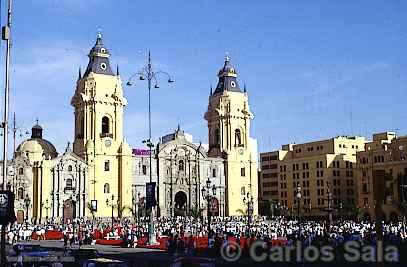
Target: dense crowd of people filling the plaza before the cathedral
(179,229)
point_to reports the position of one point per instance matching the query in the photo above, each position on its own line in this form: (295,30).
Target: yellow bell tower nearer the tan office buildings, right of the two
(229,118)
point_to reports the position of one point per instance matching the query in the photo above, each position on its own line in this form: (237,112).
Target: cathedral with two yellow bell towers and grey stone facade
(100,174)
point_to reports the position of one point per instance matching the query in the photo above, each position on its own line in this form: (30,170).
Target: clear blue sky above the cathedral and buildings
(313,69)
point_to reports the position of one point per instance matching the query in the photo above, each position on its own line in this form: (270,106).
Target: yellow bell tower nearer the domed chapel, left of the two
(99,108)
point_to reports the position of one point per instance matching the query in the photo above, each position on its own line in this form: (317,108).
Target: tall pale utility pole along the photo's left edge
(6,37)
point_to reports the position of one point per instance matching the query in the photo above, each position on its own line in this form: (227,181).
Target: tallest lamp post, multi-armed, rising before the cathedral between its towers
(151,75)
